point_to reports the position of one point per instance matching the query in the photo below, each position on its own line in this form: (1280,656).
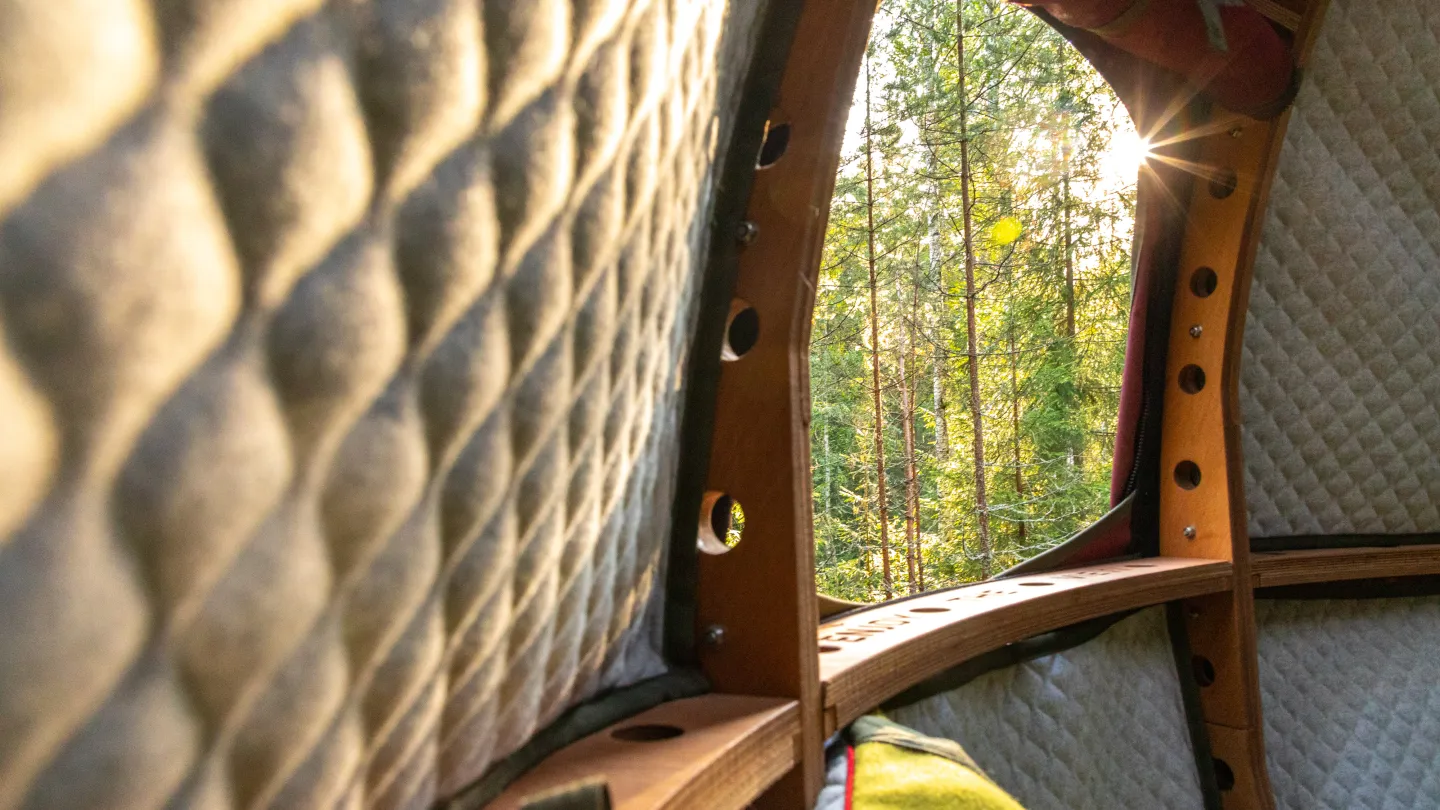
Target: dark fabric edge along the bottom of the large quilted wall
(575,724)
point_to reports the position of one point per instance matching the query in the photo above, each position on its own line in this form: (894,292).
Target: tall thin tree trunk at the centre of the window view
(973,344)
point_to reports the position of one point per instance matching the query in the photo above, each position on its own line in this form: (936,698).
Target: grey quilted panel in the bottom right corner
(1351,693)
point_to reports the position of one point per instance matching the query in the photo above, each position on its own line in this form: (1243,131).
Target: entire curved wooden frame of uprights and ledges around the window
(757,607)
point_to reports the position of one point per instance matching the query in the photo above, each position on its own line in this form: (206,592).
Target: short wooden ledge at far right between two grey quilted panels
(1277,569)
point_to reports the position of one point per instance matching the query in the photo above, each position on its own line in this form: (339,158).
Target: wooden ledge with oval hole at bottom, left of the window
(728,752)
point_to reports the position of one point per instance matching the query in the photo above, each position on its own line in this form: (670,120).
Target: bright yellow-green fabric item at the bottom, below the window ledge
(901,769)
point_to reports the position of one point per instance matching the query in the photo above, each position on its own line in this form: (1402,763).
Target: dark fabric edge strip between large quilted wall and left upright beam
(732,198)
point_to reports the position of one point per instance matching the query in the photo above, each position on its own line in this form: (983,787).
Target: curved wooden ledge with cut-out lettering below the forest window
(872,657)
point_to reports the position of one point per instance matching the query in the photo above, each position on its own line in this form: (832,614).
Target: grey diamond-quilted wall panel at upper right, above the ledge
(1340,387)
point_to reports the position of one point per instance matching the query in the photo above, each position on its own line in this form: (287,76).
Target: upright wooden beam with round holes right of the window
(1203,501)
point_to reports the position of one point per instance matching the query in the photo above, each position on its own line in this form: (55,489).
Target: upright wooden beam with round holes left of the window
(762,593)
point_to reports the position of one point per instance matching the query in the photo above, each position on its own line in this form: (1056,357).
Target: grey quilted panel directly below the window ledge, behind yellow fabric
(1098,726)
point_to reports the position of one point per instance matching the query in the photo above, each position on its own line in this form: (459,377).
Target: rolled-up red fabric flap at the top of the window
(1252,77)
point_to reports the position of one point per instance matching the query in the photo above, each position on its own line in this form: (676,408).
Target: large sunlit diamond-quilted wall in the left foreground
(341,361)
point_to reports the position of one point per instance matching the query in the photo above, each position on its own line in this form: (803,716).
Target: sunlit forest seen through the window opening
(970,325)
